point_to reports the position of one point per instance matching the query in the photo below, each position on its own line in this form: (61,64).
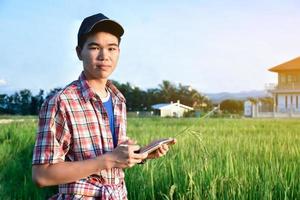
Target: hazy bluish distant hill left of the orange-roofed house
(218,97)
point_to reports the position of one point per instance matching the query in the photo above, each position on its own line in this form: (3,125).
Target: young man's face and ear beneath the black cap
(100,54)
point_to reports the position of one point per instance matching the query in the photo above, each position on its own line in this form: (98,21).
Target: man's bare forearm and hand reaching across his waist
(53,174)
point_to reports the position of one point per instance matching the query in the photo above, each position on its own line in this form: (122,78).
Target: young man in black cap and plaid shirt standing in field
(81,143)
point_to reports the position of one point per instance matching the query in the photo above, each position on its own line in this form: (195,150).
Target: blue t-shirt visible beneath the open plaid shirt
(108,105)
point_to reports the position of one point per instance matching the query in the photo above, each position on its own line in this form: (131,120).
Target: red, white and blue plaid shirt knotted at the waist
(74,126)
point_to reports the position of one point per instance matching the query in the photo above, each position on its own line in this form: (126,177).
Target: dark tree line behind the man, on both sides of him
(24,103)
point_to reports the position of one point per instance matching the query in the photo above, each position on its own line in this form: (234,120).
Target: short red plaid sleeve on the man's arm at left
(53,135)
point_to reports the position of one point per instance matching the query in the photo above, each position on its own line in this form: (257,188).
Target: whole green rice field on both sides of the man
(213,159)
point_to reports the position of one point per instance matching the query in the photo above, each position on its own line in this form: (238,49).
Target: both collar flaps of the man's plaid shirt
(88,93)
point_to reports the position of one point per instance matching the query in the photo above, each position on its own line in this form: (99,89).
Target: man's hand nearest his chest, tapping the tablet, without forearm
(123,155)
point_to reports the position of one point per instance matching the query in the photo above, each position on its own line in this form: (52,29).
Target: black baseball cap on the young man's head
(99,22)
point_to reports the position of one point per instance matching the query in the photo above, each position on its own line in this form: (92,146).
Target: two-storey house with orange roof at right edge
(286,93)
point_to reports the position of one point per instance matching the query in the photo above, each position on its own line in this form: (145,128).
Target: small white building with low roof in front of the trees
(171,109)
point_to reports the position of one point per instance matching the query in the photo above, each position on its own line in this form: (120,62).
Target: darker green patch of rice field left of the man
(16,145)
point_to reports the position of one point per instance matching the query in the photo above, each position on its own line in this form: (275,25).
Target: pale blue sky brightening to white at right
(213,46)
